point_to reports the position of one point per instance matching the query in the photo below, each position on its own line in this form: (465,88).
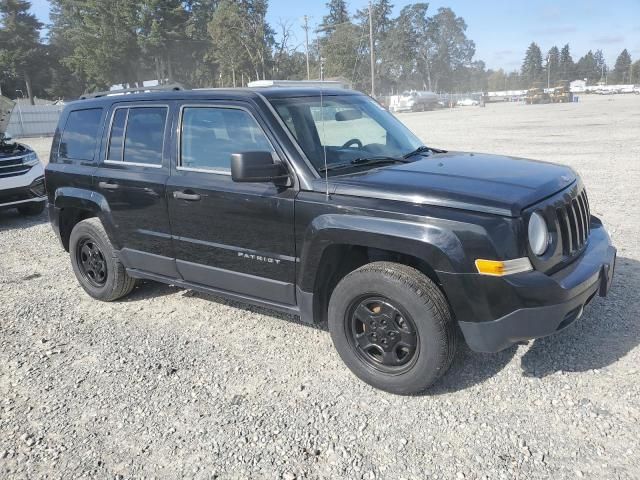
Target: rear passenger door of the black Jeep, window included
(132,178)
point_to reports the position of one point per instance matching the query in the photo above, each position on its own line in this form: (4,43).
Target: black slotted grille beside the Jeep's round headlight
(574,221)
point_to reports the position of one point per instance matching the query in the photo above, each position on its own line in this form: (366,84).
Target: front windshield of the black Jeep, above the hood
(350,128)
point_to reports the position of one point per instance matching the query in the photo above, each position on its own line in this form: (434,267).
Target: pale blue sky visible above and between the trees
(502,30)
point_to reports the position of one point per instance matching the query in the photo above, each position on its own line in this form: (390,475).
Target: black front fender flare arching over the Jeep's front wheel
(432,242)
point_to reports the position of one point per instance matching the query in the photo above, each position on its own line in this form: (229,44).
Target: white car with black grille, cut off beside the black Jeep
(21,173)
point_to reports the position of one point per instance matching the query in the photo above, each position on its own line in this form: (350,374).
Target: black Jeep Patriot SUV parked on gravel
(322,204)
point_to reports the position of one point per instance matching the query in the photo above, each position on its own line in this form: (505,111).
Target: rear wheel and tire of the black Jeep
(95,263)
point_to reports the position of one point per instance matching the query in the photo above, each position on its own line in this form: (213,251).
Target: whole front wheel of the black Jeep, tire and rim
(419,306)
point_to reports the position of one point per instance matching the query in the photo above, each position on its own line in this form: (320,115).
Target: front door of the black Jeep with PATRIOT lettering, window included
(237,237)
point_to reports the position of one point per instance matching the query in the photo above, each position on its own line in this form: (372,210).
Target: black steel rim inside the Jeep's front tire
(382,334)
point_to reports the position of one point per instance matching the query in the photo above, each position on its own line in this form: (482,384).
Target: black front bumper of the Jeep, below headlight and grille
(540,304)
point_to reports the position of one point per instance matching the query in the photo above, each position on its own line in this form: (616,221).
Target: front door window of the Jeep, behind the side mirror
(209,135)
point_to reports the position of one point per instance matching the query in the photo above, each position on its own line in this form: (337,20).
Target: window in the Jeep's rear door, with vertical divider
(137,135)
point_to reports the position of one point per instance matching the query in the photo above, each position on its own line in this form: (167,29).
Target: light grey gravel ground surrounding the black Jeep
(173,384)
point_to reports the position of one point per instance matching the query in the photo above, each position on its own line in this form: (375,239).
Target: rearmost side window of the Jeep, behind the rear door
(78,141)
